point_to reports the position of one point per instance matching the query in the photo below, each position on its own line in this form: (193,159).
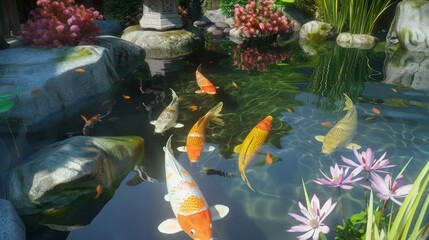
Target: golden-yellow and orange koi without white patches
(253,141)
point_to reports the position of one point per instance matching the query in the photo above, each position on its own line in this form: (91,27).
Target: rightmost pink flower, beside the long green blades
(386,189)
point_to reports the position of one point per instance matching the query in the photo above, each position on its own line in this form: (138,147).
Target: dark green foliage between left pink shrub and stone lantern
(120,10)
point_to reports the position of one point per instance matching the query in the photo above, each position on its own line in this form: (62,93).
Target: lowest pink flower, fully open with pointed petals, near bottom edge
(312,219)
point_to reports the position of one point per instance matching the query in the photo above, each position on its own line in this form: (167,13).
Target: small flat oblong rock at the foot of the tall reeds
(361,41)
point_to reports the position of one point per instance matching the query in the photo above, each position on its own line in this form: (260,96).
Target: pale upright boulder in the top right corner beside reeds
(410,26)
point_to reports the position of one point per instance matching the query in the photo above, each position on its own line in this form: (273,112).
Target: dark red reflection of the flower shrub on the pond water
(250,58)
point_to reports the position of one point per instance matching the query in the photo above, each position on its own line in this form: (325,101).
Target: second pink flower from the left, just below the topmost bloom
(339,177)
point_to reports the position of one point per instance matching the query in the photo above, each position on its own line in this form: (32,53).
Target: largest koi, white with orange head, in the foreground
(192,213)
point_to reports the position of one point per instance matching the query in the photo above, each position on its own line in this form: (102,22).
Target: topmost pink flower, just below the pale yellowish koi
(367,162)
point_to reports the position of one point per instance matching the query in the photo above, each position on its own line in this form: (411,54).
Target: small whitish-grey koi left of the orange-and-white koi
(167,119)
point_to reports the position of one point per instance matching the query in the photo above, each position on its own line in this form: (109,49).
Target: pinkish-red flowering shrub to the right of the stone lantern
(259,18)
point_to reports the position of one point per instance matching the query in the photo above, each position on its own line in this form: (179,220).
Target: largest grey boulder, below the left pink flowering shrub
(58,78)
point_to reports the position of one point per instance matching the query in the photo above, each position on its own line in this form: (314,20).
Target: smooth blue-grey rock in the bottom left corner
(11,224)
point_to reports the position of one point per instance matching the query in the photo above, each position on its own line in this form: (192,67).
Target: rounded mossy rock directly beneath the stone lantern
(165,44)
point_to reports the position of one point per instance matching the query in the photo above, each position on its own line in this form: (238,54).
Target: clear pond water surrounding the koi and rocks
(303,94)
